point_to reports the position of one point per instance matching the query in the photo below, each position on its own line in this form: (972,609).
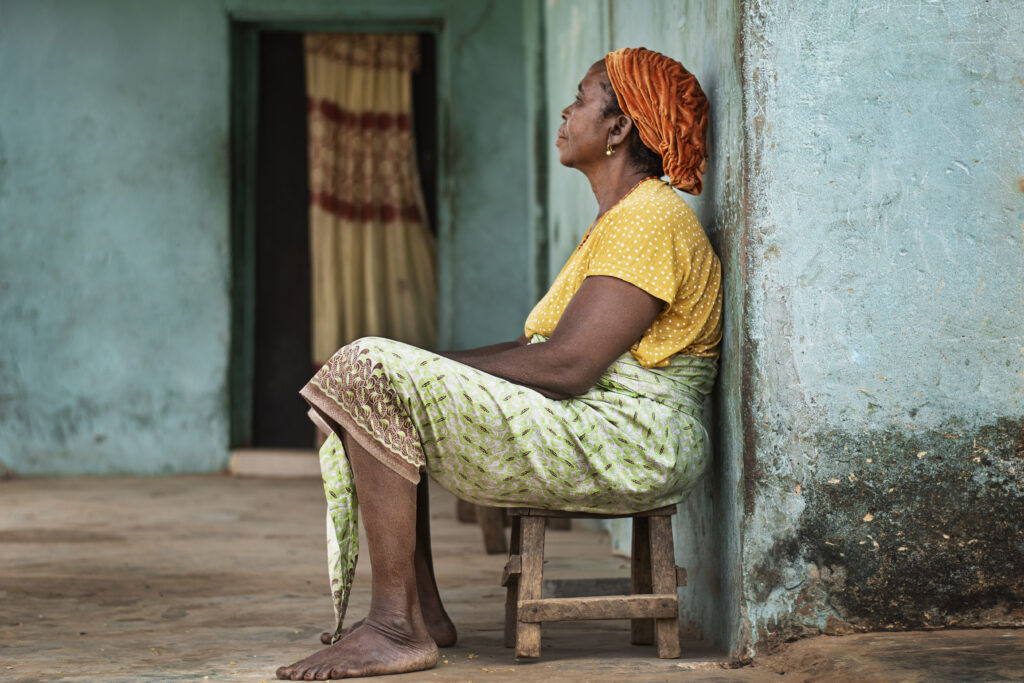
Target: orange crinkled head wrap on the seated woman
(668,108)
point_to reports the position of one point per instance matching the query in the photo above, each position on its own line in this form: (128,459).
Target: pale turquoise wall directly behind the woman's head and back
(703,34)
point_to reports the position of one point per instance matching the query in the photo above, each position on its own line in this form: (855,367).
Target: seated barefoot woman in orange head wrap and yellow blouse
(598,408)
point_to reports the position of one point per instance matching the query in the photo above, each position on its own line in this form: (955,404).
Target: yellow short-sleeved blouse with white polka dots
(653,240)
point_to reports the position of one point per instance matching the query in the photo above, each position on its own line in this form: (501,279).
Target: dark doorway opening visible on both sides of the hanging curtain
(282,353)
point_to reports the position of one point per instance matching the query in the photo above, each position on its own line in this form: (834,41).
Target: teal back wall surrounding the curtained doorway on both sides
(115,232)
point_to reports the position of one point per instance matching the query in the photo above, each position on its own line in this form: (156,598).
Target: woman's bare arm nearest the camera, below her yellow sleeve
(605,318)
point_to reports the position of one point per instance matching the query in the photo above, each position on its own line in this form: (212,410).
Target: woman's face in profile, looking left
(583,137)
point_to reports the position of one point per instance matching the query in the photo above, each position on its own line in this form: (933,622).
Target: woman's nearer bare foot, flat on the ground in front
(371,650)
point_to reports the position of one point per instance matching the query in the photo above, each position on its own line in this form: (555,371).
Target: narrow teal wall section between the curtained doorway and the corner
(493,240)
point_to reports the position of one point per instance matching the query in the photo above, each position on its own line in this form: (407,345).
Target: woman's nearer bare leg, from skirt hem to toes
(394,638)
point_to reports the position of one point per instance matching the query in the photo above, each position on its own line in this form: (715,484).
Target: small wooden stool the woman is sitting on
(653,606)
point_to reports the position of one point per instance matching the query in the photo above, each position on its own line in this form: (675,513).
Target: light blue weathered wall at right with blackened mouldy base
(884,331)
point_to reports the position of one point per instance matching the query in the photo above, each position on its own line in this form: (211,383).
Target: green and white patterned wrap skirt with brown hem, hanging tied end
(634,442)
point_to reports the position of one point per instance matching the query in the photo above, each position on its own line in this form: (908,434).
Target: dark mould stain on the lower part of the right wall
(903,532)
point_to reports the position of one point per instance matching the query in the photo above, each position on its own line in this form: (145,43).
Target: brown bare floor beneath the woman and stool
(223,579)
